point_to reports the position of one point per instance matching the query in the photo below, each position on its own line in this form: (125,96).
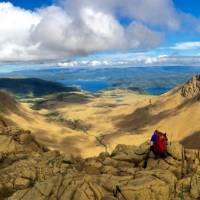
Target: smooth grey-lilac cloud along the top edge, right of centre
(152,12)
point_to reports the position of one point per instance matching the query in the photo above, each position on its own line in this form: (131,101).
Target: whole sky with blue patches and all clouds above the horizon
(70,33)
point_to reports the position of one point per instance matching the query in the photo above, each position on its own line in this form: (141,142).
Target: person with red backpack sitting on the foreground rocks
(159,143)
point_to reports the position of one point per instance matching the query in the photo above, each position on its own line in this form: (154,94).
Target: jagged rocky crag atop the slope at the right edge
(192,87)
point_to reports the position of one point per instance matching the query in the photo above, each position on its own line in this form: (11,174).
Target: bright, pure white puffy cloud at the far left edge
(15,28)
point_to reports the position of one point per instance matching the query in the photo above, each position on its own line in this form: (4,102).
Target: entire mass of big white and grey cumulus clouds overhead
(77,27)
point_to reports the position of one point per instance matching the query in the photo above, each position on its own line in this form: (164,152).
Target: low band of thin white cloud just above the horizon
(136,60)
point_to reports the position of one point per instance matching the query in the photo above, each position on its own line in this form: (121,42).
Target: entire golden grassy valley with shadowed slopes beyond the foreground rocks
(89,124)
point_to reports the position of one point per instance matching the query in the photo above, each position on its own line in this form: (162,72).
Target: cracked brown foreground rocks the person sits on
(30,171)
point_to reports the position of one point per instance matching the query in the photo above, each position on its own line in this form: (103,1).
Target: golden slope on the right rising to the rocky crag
(175,112)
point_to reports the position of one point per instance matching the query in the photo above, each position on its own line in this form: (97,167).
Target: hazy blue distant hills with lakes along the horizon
(152,80)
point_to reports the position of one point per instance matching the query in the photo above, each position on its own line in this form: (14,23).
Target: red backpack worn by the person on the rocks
(160,146)
